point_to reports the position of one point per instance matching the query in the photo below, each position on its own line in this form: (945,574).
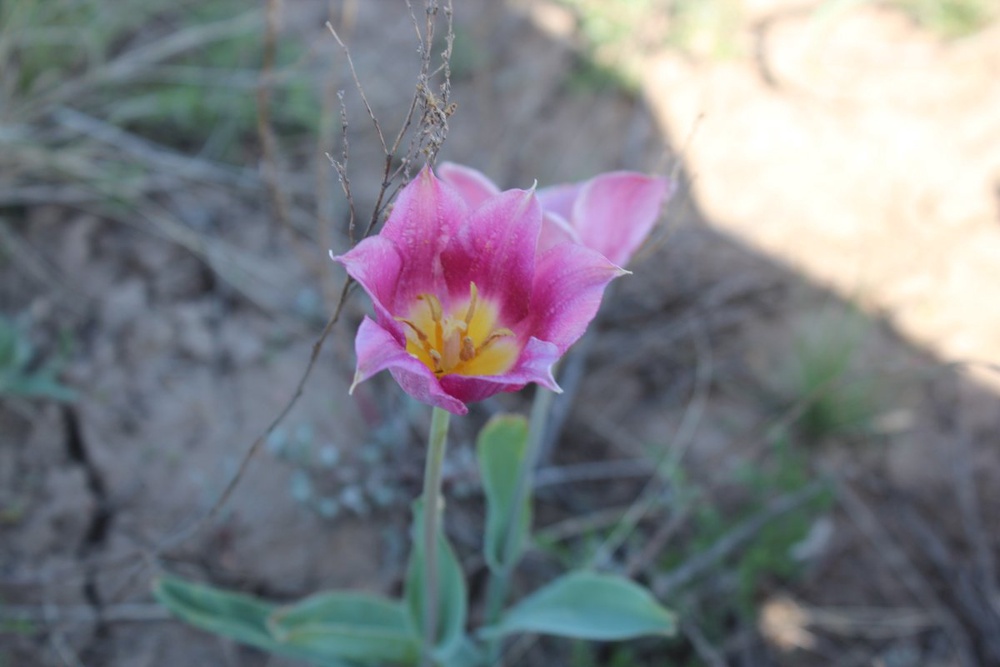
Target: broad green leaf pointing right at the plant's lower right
(587,605)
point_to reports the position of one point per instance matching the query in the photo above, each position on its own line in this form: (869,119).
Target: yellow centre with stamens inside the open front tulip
(464,341)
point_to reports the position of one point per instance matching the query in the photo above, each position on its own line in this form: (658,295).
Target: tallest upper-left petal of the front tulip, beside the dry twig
(426,215)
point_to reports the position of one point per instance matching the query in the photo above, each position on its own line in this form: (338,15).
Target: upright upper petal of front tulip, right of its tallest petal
(496,250)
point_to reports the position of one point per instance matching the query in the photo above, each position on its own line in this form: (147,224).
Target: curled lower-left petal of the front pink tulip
(378,349)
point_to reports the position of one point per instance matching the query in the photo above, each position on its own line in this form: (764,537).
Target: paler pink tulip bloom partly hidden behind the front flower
(612,213)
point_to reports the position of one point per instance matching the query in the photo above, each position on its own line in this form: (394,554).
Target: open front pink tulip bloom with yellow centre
(467,302)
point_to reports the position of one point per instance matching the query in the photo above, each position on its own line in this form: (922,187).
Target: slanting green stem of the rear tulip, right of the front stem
(499,582)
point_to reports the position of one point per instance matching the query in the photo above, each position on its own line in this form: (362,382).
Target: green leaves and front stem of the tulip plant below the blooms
(339,629)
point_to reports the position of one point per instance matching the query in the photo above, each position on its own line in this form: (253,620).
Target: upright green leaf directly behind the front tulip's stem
(451,593)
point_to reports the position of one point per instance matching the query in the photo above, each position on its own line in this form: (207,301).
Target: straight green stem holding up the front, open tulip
(436,446)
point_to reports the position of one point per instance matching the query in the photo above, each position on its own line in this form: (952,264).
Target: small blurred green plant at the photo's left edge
(22,373)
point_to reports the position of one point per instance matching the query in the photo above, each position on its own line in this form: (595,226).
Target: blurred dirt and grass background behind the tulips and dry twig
(785,422)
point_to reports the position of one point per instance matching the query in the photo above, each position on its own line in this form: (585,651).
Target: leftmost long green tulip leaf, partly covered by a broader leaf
(240,617)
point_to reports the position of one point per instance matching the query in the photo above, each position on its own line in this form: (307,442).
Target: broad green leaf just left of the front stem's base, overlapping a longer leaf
(351,626)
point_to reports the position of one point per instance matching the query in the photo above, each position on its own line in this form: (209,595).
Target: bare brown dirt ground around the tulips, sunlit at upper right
(837,182)
